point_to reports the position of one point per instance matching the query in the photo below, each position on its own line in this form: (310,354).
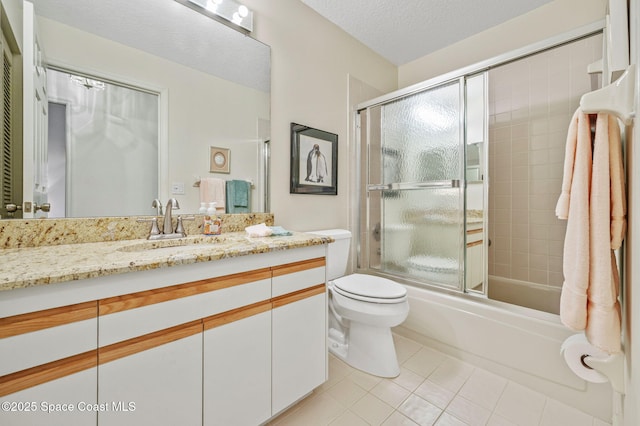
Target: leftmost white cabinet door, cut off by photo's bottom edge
(69,401)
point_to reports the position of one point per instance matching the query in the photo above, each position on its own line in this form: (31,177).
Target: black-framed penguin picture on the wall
(314,161)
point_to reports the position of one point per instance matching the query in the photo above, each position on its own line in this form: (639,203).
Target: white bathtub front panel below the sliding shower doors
(520,344)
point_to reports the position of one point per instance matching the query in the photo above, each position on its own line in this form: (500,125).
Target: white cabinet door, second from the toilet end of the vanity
(237,370)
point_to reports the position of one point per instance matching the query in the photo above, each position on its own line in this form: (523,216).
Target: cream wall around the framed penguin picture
(311,60)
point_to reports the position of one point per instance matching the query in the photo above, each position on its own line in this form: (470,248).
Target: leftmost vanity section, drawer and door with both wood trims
(48,366)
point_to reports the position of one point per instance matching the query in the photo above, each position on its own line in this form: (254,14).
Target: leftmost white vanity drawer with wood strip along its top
(41,337)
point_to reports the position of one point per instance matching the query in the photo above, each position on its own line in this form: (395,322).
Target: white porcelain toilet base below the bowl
(367,348)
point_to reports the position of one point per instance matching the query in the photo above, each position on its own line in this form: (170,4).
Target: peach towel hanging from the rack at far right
(593,202)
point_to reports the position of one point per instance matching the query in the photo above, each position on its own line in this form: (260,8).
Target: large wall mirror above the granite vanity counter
(207,84)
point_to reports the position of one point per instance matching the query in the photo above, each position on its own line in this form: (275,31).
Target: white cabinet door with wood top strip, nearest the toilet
(299,346)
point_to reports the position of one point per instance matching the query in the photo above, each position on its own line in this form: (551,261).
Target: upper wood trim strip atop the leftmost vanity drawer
(40,320)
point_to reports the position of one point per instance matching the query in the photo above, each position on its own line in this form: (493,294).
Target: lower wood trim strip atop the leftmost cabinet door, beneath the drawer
(40,374)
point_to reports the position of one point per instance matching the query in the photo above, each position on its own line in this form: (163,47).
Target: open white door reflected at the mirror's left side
(35,109)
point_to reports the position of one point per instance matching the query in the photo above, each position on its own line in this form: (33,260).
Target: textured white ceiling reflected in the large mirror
(169,30)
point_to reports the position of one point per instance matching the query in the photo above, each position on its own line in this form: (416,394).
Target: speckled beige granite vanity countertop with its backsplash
(38,252)
